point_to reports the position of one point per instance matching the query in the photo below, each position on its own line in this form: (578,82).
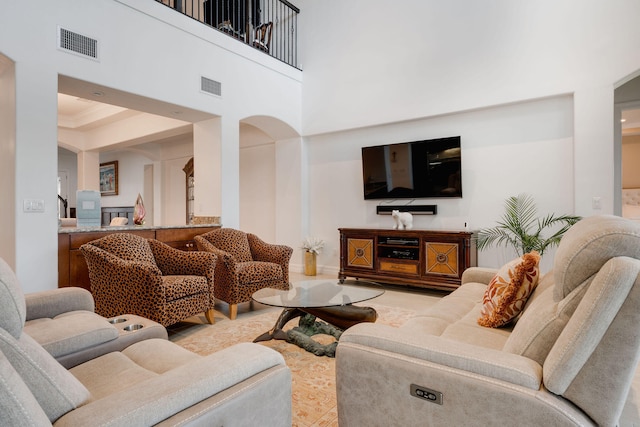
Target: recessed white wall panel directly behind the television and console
(507,150)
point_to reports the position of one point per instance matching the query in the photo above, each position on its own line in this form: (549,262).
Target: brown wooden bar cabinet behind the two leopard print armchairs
(72,267)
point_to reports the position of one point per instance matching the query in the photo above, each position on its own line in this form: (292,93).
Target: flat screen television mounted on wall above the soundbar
(410,170)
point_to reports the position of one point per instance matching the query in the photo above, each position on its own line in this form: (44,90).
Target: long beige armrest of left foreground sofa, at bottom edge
(158,398)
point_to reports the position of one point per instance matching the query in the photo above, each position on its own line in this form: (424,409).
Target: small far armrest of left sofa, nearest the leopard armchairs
(49,304)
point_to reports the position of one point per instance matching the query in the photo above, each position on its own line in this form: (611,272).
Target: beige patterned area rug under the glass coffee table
(313,377)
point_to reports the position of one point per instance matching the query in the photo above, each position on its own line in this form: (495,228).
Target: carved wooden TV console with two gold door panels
(422,258)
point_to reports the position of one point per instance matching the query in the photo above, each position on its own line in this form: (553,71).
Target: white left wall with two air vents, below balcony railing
(153,52)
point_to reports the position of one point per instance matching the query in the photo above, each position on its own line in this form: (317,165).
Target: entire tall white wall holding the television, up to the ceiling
(528,85)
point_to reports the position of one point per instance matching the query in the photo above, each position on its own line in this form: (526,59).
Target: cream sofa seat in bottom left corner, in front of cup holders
(151,382)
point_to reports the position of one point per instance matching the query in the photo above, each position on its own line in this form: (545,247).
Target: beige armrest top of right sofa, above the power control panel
(489,363)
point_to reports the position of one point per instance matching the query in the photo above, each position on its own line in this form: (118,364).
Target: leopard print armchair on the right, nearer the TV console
(246,264)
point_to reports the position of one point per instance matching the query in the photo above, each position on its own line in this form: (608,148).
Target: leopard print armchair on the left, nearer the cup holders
(133,275)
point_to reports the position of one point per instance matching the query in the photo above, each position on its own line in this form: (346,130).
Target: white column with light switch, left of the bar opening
(36,176)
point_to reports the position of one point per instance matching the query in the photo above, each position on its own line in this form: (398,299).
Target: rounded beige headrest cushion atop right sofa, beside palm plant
(588,245)
